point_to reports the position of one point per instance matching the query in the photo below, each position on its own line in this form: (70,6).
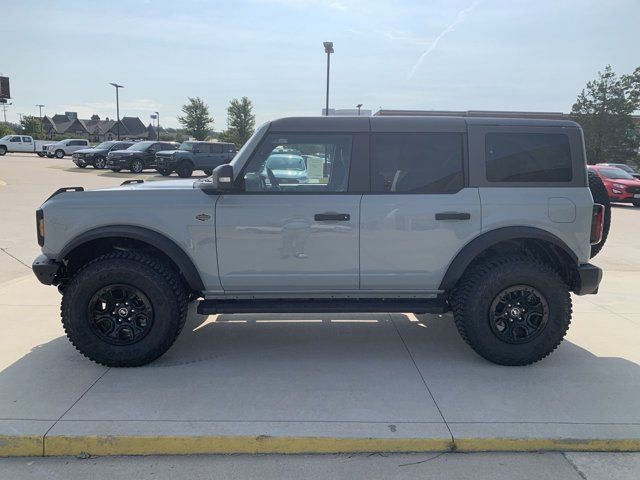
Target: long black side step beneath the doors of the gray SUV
(323,305)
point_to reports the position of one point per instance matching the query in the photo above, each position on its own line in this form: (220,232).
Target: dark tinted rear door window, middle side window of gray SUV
(417,163)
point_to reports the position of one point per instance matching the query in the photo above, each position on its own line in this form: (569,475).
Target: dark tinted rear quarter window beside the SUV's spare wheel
(527,157)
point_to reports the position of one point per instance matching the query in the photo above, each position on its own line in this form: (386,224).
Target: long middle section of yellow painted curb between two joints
(187,445)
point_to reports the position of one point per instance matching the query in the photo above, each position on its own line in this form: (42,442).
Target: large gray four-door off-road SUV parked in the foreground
(491,219)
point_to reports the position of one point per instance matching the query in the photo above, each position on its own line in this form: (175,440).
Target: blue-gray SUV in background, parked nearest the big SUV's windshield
(192,156)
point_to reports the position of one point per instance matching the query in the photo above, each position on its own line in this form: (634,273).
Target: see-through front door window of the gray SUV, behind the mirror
(298,163)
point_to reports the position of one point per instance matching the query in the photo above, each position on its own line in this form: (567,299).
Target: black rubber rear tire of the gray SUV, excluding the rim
(472,298)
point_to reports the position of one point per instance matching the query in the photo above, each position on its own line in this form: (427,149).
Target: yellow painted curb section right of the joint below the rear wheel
(546,444)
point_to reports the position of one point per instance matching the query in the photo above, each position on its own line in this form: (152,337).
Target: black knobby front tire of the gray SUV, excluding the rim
(152,276)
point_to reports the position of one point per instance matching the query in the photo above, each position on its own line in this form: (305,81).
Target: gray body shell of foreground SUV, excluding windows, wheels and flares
(270,245)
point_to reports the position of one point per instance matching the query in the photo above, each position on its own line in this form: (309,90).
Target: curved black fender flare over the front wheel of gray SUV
(151,237)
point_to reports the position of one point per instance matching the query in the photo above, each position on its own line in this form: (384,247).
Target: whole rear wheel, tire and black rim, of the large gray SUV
(512,310)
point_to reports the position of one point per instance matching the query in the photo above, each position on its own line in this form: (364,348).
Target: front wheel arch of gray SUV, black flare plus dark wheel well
(93,242)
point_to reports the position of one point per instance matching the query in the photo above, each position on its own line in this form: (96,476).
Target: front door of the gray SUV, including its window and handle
(292,226)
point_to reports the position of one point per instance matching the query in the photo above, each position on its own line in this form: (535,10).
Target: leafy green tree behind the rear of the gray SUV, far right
(604,110)
